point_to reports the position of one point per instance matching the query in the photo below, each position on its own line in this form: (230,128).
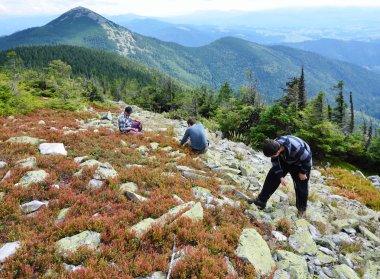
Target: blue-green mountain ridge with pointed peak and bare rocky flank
(225,60)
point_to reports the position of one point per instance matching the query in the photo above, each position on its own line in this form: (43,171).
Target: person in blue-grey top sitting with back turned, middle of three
(197,134)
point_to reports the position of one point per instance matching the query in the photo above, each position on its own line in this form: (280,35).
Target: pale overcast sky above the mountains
(164,7)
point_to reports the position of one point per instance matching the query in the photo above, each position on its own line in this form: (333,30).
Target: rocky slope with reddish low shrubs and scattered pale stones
(79,199)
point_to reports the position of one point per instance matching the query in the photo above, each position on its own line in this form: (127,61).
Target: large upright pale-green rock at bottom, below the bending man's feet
(253,249)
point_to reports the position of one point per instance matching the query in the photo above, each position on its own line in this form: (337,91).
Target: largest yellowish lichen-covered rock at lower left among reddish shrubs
(89,239)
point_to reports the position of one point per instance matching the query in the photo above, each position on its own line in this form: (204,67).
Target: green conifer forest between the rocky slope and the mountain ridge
(67,77)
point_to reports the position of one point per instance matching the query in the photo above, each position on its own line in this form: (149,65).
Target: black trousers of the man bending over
(301,187)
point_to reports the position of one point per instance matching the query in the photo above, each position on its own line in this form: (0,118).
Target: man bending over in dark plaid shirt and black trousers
(289,154)
